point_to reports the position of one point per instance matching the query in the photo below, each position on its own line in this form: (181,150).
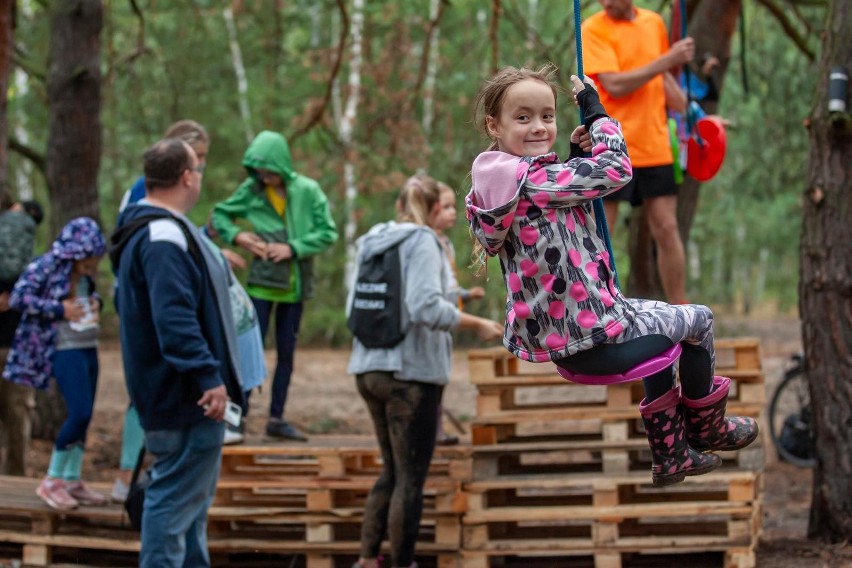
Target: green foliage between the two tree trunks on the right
(749,217)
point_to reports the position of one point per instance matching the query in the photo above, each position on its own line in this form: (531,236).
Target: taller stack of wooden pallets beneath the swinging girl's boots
(562,471)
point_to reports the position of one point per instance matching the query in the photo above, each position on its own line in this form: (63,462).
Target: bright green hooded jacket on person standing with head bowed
(307,225)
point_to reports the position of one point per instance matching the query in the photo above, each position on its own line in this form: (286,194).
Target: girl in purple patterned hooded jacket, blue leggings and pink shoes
(57,336)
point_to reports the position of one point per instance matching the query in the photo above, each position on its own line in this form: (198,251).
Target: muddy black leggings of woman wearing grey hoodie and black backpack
(404,414)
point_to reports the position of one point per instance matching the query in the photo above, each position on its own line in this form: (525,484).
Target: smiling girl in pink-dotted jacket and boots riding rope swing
(535,213)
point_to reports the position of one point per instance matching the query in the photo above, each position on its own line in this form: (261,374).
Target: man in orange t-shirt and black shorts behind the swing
(626,51)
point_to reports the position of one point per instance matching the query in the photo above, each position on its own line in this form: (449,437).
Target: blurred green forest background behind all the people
(362,123)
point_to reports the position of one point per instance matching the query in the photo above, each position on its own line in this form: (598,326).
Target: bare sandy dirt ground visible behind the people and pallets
(323,399)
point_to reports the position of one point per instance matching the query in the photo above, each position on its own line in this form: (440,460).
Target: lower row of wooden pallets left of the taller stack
(298,505)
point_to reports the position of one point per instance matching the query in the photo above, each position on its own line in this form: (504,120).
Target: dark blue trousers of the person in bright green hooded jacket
(287,319)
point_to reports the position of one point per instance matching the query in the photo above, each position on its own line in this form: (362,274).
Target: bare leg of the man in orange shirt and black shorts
(671,259)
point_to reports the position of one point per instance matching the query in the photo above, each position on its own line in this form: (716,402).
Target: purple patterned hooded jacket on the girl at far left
(38,295)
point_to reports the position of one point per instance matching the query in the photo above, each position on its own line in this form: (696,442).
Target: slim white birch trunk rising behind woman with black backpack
(346,128)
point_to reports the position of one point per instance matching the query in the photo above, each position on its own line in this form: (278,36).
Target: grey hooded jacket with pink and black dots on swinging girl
(535,214)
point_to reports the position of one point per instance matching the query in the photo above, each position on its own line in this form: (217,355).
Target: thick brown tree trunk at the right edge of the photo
(825,289)
